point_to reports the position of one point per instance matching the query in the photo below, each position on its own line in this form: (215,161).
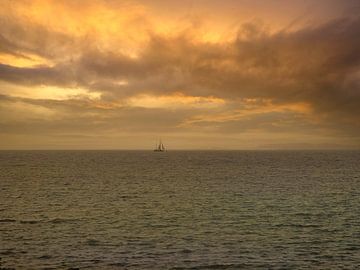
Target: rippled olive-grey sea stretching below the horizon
(180,210)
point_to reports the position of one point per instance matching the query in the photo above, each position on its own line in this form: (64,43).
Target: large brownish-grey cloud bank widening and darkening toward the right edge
(319,65)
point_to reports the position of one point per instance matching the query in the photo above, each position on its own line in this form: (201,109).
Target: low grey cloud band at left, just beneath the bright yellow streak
(85,117)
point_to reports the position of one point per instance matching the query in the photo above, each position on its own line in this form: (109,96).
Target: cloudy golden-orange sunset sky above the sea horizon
(199,74)
